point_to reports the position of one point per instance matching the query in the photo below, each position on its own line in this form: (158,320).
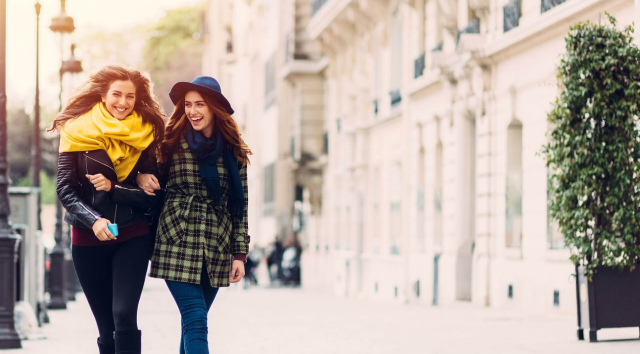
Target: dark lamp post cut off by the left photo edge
(8,240)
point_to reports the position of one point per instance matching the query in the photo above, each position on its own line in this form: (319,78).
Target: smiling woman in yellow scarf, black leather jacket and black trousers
(108,128)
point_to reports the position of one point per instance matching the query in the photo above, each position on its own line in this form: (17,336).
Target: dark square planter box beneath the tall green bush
(610,300)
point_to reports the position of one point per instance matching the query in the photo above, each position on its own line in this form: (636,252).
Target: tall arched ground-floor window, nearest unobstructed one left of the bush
(513,225)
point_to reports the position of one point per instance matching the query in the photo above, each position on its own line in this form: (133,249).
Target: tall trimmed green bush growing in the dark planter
(593,153)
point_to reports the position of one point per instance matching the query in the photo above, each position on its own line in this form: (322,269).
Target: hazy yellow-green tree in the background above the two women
(173,51)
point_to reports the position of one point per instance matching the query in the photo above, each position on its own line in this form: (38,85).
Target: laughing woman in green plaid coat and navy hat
(202,241)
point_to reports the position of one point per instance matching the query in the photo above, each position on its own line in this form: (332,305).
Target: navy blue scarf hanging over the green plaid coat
(207,150)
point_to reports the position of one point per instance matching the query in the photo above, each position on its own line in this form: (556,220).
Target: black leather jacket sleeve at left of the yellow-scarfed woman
(68,190)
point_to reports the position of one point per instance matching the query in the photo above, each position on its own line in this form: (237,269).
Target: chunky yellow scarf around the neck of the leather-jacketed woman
(123,140)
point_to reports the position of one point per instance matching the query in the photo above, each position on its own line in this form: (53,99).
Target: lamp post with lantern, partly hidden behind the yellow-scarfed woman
(60,255)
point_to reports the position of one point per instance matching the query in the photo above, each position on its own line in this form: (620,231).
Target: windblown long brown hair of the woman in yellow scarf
(91,92)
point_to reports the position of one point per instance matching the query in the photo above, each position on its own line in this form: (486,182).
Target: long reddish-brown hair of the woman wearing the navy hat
(178,123)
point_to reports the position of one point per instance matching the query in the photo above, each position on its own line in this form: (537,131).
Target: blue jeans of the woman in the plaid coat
(194,302)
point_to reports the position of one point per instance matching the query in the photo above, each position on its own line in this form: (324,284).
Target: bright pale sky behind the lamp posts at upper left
(89,15)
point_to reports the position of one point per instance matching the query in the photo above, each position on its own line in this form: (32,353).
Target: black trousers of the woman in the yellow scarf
(112,277)
